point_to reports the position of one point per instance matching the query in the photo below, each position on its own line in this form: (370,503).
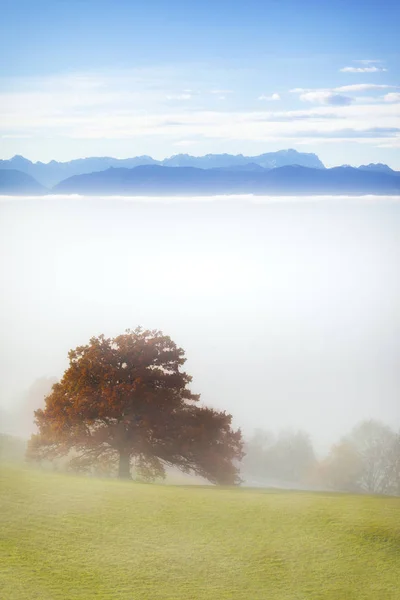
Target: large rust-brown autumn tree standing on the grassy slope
(126,400)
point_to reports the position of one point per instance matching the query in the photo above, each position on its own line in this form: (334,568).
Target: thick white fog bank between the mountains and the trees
(288,309)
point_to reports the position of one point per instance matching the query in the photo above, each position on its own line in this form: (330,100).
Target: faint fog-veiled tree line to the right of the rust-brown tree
(366,460)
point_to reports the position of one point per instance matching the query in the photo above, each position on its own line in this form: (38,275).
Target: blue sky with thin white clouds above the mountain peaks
(124,78)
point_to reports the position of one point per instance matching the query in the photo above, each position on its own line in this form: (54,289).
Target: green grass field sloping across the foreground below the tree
(65,537)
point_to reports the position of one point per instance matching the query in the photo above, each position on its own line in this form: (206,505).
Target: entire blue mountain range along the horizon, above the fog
(232,175)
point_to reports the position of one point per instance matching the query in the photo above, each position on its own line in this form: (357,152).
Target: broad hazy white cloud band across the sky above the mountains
(134,108)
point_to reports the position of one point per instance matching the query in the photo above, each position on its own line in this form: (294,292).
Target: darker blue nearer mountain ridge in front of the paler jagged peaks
(188,181)
